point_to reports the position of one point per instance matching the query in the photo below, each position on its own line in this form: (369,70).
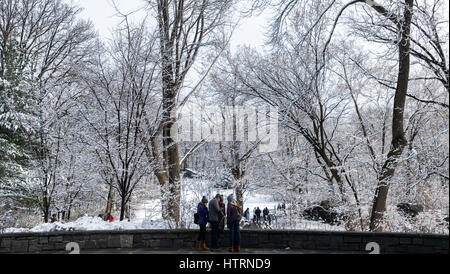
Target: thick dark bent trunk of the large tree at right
(398,135)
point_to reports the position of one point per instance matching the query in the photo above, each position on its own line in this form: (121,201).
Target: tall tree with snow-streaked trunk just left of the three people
(184,28)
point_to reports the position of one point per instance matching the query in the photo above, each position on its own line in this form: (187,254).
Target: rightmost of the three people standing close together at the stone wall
(234,217)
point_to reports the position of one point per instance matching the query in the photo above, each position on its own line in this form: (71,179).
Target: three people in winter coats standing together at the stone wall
(215,213)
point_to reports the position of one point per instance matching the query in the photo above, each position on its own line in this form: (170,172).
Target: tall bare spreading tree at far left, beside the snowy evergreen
(51,41)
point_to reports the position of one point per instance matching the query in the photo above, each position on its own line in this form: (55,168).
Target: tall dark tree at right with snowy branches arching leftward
(387,17)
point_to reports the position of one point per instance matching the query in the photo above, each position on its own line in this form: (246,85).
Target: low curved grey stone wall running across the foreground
(185,239)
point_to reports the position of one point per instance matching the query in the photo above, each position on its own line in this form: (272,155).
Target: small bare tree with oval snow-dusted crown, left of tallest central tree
(122,83)
